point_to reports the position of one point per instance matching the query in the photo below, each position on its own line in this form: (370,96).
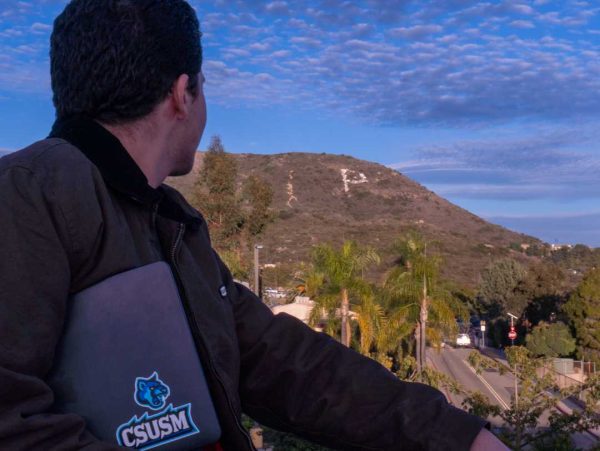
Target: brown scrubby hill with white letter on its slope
(329,198)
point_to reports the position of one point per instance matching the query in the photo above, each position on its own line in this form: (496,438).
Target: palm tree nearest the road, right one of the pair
(414,295)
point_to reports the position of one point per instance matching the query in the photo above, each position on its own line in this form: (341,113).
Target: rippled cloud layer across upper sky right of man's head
(397,62)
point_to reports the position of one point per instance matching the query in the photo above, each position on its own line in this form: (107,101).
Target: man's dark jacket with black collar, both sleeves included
(74,210)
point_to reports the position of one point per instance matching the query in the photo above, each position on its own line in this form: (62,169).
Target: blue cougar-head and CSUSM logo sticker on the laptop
(166,426)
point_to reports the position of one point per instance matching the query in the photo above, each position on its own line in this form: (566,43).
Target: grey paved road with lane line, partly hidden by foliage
(498,388)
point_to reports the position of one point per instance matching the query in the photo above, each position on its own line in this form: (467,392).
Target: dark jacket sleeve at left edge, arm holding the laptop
(34,287)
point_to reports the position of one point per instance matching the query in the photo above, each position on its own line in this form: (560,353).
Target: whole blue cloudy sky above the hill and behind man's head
(494,105)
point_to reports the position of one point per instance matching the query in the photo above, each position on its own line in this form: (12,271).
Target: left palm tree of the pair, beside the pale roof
(336,277)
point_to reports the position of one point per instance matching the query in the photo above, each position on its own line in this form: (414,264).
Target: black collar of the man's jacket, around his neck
(118,169)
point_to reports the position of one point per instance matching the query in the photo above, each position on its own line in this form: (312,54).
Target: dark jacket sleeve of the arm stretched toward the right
(297,380)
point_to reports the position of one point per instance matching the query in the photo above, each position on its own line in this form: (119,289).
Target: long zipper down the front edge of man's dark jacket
(196,330)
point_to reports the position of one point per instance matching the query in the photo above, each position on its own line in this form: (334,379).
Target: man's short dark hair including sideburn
(115,60)
